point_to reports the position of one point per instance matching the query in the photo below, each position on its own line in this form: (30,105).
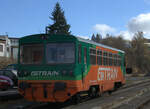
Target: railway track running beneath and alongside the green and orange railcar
(105,102)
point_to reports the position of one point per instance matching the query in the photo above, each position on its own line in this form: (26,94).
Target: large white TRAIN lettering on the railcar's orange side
(107,74)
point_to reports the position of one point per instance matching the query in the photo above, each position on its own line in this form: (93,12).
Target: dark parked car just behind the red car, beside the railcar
(11,75)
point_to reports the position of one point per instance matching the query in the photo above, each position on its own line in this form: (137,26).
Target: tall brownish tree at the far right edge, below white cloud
(140,54)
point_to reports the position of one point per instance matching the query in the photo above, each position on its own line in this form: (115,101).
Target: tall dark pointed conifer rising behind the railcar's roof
(60,25)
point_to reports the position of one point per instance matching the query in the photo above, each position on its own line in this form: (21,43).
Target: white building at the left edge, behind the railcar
(9,46)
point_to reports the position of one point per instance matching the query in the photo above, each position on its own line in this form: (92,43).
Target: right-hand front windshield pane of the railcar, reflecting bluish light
(60,53)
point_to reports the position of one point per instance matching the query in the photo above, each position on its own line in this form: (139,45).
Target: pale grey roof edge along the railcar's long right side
(98,44)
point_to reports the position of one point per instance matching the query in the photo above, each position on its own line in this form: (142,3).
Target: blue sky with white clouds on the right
(19,18)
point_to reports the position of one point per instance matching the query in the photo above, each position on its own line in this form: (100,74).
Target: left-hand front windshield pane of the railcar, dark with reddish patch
(31,54)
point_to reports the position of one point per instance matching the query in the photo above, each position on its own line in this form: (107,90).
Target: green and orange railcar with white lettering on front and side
(56,68)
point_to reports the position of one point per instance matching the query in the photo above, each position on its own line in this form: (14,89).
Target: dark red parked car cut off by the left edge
(5,83)
